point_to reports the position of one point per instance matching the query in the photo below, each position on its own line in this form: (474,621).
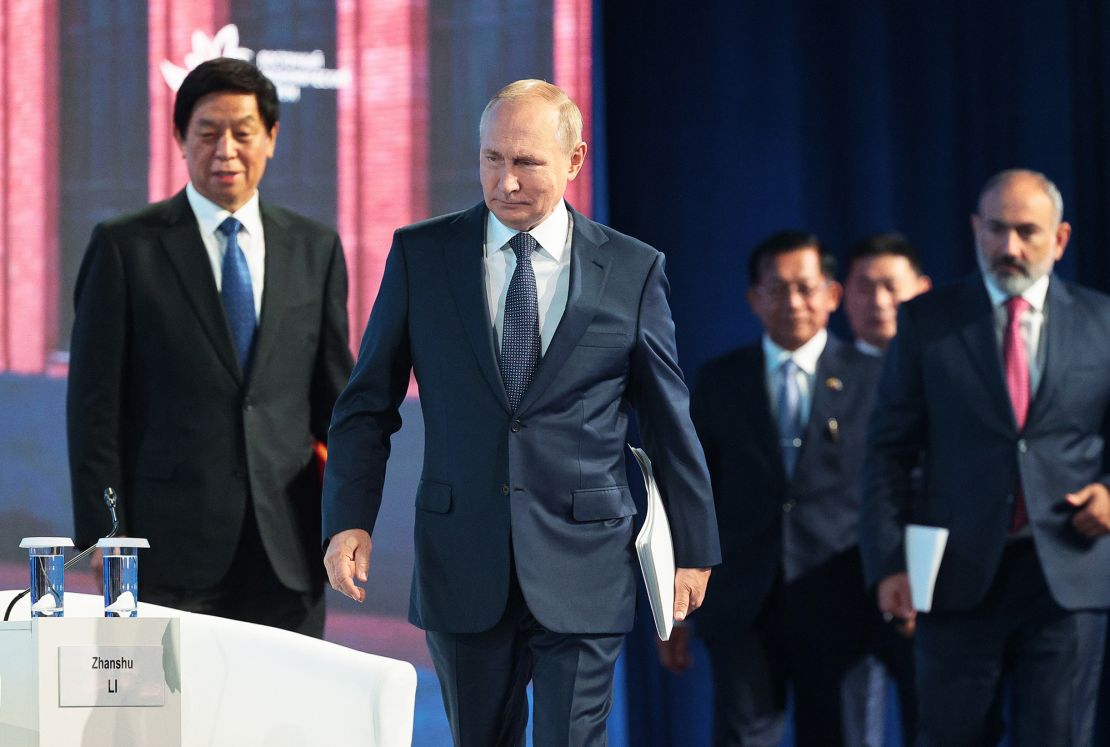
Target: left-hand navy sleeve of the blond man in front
(368,411)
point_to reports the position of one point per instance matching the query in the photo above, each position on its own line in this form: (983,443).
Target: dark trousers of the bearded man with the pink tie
(1020,632)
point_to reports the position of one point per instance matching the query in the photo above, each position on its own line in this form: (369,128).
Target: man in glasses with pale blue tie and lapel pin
(782,422)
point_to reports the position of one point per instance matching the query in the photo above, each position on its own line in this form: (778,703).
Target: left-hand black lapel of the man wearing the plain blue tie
(186,253)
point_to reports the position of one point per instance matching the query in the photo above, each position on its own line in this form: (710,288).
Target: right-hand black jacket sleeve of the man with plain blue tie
(334,357)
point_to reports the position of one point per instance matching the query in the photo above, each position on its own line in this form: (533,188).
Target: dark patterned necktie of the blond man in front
(520,338)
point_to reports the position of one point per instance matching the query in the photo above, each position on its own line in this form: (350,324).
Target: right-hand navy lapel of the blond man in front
(590,267)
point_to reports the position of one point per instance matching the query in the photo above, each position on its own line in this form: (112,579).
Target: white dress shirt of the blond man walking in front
(551,263)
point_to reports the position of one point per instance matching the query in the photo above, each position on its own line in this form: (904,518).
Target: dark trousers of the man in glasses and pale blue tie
(810,635)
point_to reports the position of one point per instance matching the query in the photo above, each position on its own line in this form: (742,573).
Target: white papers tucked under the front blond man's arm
(657,553)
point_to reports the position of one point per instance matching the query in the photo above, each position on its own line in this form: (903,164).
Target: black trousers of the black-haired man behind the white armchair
(250,592)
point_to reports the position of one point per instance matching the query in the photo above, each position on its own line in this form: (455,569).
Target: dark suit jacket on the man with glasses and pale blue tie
(769,524)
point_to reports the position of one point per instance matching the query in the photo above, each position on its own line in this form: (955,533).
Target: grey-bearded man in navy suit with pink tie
(1001,381)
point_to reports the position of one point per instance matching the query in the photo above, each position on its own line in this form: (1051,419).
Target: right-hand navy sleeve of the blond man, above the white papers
(662,402)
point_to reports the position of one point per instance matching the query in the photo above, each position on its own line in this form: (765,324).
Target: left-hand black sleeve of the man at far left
(96,387)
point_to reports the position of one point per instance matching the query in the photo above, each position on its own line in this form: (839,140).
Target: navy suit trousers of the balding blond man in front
(485,678)
